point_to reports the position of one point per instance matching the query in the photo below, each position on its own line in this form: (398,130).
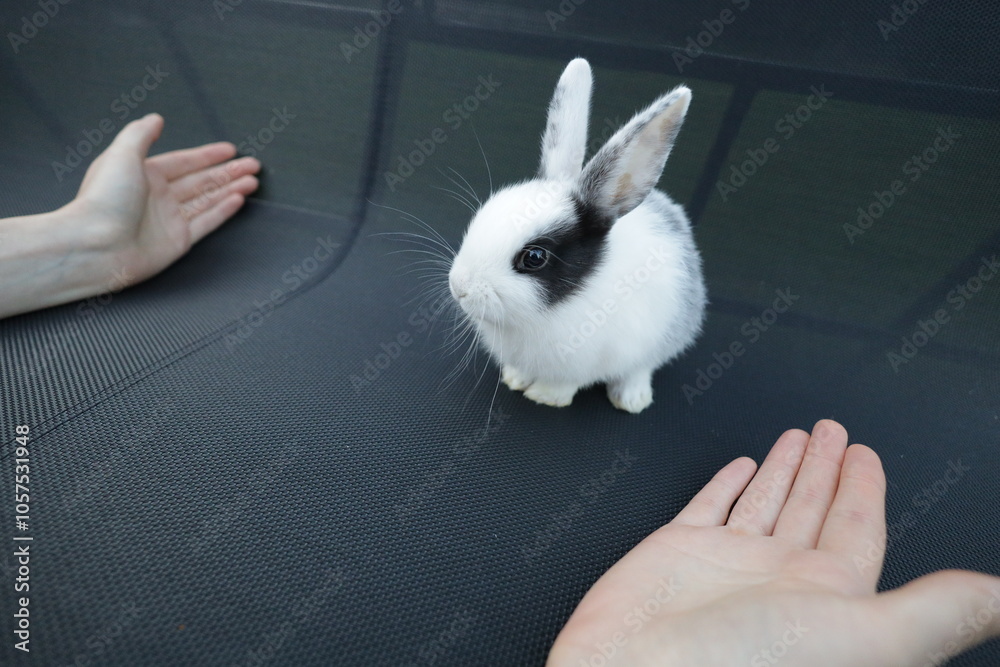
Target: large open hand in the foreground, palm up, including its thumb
(787,577)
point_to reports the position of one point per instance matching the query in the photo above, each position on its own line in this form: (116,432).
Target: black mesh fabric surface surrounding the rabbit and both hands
(220,478)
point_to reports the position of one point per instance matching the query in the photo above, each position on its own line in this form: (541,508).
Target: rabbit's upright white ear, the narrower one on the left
(565,139)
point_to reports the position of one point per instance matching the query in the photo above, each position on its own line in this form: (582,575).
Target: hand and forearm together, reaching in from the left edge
(132,217)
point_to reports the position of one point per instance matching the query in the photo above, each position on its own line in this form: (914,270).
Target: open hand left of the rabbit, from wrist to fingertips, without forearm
(149,211)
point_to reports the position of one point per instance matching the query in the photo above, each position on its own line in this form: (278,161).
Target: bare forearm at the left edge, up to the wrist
(50,259)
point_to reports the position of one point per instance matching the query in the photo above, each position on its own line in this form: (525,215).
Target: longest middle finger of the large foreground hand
(815,486)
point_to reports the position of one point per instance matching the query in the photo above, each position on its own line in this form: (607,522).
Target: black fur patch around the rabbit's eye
(575,253)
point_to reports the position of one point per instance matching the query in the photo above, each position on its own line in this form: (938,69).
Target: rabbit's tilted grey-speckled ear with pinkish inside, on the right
(620,176)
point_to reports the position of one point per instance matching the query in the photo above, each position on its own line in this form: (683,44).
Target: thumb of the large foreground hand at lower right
(943,614)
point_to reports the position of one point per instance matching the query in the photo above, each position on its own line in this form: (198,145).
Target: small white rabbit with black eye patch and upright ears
(585,274)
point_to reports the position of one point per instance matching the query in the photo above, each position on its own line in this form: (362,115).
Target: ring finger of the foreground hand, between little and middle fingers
(758,508)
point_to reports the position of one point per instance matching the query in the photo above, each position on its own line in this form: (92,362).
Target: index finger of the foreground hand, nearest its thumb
(855,525)
